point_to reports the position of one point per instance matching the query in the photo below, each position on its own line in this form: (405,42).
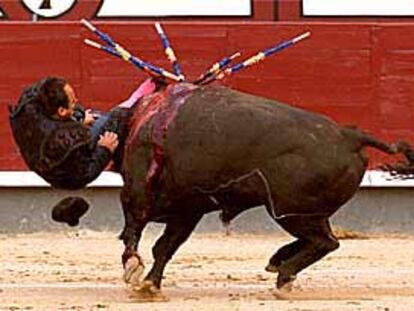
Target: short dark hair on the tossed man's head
(51,95)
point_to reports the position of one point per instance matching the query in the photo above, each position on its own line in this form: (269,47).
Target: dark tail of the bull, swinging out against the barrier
(403,169)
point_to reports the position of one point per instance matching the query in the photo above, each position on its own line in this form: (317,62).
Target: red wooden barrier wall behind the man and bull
(356,73)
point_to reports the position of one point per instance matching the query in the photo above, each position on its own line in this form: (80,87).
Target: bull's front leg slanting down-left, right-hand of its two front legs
(176,233)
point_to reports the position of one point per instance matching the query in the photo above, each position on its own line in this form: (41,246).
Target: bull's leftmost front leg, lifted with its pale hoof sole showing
(131,235)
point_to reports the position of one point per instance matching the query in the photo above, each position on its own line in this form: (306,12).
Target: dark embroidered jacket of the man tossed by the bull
(62,152)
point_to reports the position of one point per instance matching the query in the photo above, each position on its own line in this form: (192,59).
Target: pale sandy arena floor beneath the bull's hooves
(81,271)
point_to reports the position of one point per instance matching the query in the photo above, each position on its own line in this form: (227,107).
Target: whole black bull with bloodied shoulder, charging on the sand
(194,150)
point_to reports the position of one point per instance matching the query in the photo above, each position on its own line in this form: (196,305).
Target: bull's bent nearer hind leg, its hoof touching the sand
(317,241)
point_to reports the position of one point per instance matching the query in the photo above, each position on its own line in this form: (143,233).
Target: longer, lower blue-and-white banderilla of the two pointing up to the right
(261,56)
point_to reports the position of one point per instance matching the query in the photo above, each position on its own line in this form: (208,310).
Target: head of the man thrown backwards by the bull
(57,97)
